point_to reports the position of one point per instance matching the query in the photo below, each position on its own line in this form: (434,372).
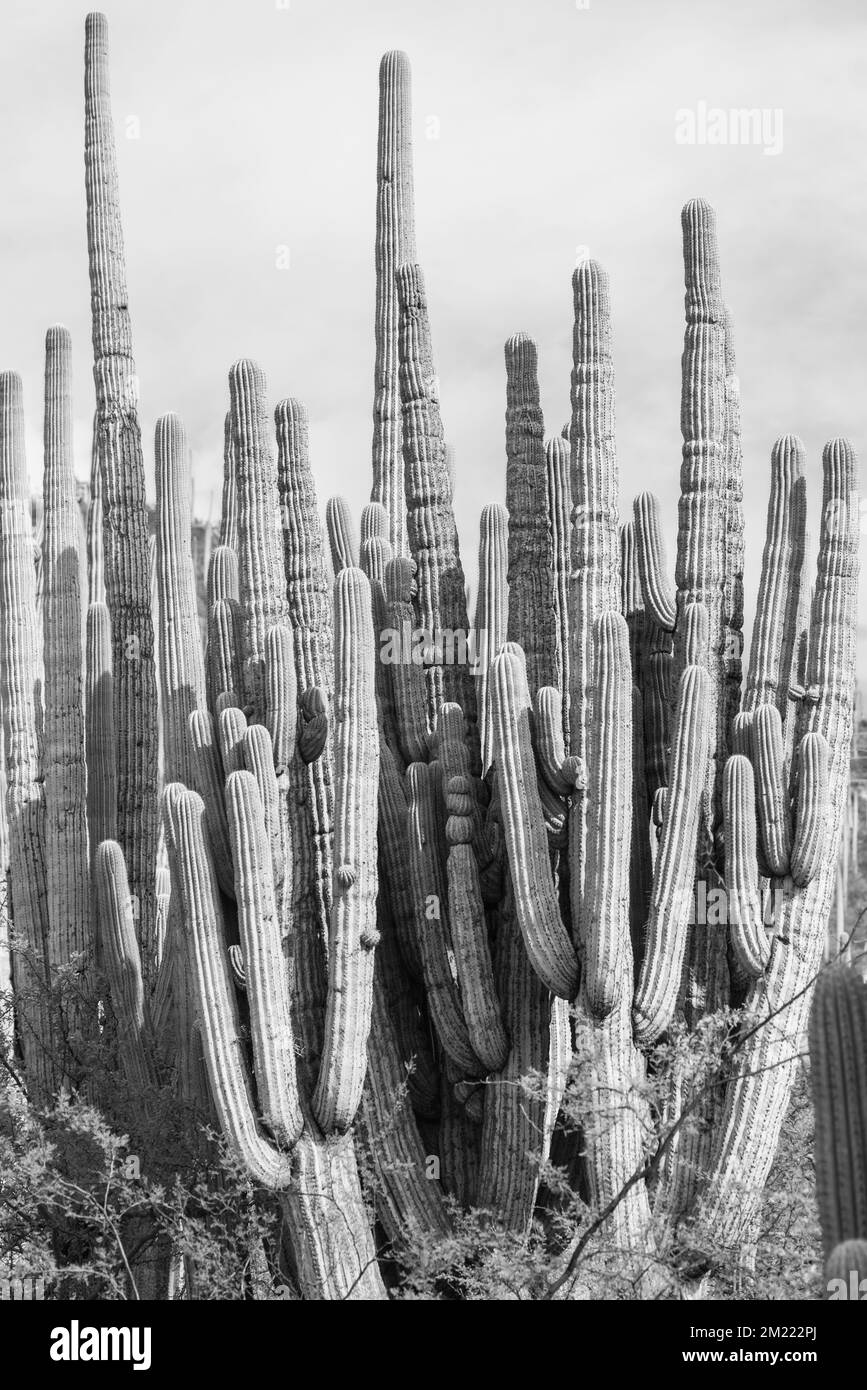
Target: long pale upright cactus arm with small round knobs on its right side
(354,926)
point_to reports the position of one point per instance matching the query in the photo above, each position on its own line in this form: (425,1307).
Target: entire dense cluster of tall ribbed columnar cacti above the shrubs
(324,881)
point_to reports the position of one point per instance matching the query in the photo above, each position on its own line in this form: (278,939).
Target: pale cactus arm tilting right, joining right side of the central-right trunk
(666,942)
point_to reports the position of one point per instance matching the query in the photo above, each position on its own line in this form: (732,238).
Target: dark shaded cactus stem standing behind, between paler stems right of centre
(533,621)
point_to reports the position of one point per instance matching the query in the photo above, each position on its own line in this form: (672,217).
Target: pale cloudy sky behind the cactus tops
(249,126)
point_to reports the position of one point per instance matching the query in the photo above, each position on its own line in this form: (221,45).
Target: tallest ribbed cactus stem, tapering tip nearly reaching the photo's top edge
(124,504)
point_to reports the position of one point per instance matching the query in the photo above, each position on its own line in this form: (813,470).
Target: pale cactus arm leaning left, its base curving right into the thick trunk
(538,911)
